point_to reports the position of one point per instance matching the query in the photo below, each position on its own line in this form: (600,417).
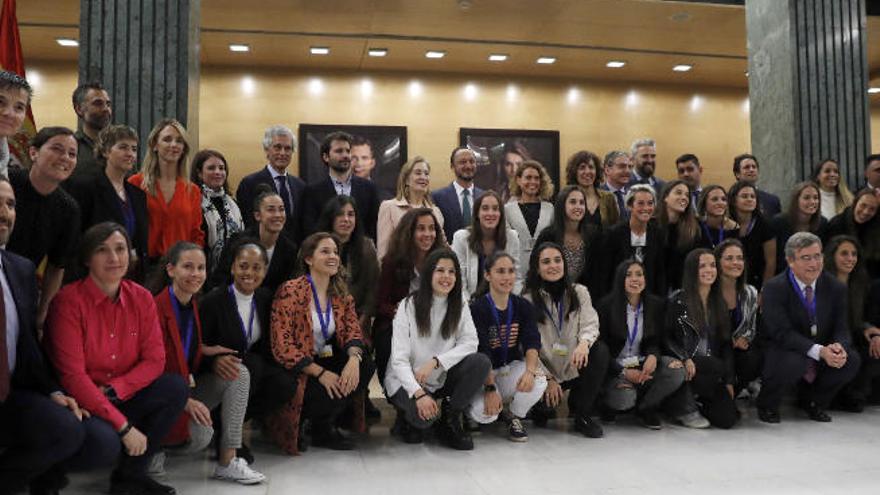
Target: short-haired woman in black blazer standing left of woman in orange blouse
(107,197)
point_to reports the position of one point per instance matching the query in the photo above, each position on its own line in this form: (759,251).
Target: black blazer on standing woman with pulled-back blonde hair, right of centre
(618,248)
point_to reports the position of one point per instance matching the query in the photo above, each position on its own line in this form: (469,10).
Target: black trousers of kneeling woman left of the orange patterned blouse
(272,385)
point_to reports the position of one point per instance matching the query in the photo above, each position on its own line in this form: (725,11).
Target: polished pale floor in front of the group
(797,456)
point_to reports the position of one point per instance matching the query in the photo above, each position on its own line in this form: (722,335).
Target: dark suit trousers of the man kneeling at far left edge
(37,435)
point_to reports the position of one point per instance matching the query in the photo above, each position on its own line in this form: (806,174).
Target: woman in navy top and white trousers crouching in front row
(509,337)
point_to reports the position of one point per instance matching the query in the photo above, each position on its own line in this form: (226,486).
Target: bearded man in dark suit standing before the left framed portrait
(336,154)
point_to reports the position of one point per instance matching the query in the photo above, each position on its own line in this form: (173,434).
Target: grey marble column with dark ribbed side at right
(808,80)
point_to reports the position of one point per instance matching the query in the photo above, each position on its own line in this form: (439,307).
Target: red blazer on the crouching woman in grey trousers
(175,360)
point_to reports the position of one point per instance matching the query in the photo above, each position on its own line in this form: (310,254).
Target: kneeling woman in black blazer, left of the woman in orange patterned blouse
(236,316)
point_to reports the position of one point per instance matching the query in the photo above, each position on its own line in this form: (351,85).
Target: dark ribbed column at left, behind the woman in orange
(146,53)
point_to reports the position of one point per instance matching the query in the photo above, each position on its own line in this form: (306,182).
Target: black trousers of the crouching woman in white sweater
(463,382)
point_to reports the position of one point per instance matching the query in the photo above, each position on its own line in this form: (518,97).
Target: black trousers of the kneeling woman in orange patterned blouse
(318,406)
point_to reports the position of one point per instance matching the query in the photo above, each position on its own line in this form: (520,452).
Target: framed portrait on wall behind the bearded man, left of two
(379,156)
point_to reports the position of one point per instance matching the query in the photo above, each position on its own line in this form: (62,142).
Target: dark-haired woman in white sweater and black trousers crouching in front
(434,356)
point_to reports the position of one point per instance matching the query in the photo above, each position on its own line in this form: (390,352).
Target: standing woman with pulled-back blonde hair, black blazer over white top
(640,238)
